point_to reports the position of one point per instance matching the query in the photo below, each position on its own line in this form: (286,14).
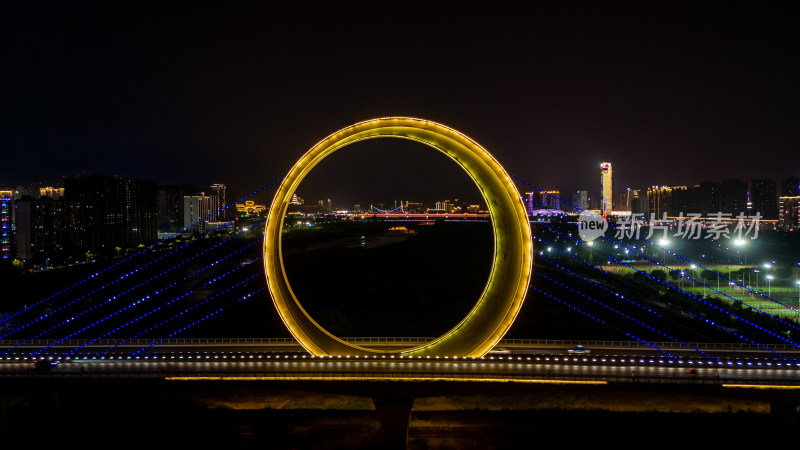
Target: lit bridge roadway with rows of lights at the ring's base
(541,362)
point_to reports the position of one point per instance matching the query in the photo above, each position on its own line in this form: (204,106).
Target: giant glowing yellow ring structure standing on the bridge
(505,291)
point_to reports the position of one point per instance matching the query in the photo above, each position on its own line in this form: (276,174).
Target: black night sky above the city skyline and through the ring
(234,92)
